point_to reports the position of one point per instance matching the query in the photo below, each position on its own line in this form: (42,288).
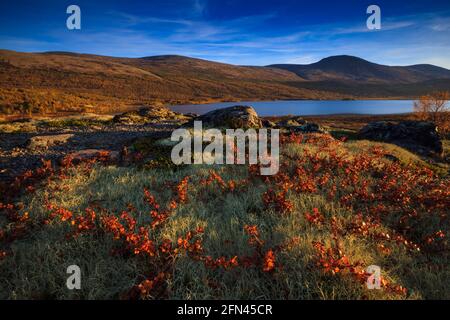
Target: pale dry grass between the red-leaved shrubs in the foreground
(36,265)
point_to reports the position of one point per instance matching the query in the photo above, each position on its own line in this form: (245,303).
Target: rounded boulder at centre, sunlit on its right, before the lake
(233,117)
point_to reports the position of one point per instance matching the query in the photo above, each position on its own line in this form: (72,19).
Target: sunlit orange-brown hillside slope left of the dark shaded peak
(57,80)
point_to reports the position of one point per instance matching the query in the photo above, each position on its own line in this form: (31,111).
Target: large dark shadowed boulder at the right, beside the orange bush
(418,136)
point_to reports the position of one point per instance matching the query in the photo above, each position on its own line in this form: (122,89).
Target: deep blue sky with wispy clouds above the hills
(246,32)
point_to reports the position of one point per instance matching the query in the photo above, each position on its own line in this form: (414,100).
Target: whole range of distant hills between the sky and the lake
(65,81)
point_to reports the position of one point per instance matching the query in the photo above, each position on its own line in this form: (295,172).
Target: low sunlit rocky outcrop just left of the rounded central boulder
(150,115)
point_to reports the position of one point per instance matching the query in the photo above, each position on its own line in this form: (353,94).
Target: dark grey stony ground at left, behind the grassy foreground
(17,156)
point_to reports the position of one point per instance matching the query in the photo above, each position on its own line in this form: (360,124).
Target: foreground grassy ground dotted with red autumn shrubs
(314,231)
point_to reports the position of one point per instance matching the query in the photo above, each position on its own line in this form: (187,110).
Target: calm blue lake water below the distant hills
(308,107)
